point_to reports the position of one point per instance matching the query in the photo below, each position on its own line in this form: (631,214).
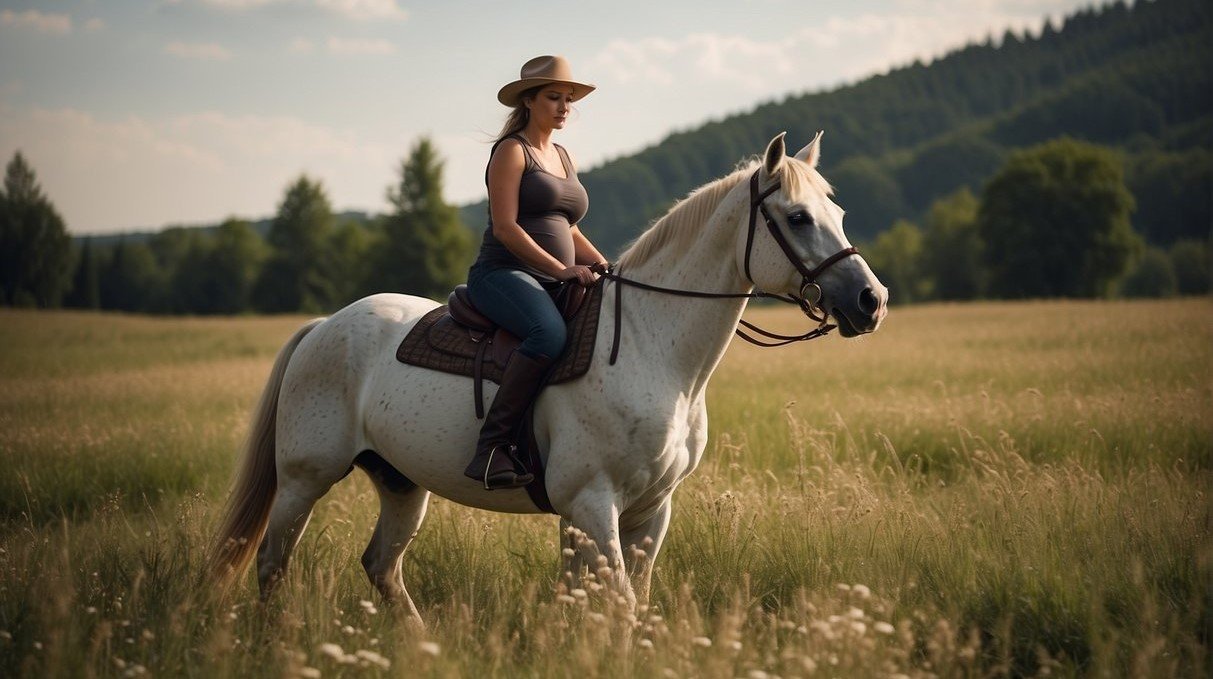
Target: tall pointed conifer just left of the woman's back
(425,249)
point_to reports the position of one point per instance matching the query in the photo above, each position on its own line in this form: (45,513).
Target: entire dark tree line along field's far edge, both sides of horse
(1052,222)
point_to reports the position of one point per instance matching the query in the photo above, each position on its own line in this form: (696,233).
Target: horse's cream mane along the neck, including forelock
(681,225)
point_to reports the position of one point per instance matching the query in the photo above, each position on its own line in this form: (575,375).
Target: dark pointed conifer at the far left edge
(36,252)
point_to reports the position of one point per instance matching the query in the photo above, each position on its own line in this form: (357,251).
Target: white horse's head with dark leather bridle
(795,244)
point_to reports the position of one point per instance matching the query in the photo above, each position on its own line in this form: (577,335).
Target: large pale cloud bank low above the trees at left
(140,173)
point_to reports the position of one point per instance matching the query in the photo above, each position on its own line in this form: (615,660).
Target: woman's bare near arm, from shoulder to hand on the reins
(505,178)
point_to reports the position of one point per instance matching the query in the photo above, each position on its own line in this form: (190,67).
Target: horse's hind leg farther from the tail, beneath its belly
(402,510)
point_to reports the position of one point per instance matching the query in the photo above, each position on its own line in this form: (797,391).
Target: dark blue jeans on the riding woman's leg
(517,303)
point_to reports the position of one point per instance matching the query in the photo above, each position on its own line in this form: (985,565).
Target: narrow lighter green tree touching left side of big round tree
(953,250)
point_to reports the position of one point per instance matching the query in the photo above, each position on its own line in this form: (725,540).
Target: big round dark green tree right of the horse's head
(1056,222)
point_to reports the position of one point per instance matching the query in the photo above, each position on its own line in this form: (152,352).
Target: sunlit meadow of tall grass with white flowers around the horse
(975,490)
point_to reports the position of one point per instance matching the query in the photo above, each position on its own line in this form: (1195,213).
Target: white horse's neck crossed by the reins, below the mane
(685,335)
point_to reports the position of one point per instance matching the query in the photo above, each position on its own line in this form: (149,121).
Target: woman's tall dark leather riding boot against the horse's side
(496,463)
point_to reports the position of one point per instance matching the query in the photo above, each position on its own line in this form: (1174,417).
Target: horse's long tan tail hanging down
(257,482)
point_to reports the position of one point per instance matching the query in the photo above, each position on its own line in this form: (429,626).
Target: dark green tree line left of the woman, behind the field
(309,260)
